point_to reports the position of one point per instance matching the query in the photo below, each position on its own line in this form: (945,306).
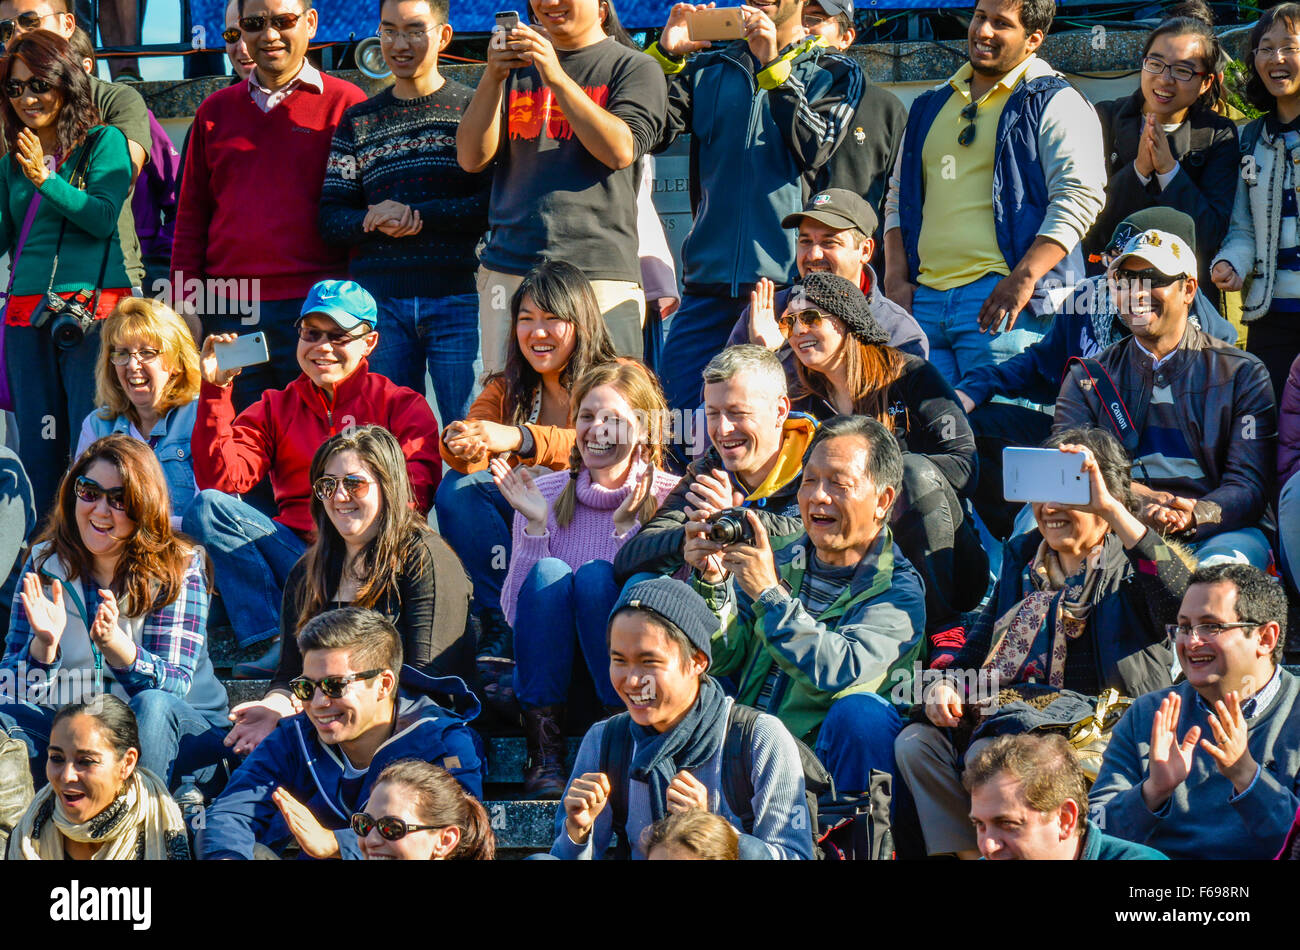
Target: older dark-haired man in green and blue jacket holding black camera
(820,628)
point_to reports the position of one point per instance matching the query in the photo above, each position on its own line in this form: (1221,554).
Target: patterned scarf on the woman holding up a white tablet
(1032,640)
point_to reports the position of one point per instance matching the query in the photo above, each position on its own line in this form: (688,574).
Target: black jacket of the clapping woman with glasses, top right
(1204,188)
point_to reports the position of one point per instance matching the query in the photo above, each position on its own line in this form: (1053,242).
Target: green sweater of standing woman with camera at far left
(92,215)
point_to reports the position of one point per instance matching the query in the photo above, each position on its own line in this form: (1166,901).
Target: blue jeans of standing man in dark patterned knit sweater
(439,332)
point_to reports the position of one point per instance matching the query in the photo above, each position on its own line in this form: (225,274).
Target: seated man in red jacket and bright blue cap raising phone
(278,437)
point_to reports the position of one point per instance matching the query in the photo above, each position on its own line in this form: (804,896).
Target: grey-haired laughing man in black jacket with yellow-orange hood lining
(755,462)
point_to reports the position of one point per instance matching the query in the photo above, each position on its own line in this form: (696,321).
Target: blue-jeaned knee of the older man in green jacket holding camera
(857,736)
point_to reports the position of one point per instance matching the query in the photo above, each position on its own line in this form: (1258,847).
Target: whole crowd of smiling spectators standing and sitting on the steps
(762,563)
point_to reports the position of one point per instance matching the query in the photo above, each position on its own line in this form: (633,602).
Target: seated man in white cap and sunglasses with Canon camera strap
(1198,415)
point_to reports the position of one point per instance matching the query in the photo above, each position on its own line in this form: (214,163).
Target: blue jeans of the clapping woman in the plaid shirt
(179,744)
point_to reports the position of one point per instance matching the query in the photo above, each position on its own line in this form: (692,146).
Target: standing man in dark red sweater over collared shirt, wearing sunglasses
(246,248)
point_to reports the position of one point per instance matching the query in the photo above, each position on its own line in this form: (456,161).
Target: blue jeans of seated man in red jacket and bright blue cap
(252,556)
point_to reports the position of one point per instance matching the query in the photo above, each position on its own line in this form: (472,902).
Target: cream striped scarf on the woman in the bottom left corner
(142,825)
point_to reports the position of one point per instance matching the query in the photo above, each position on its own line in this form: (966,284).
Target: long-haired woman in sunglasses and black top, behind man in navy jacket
(372,550)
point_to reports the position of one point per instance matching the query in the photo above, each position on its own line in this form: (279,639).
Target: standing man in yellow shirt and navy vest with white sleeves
(999,179)
